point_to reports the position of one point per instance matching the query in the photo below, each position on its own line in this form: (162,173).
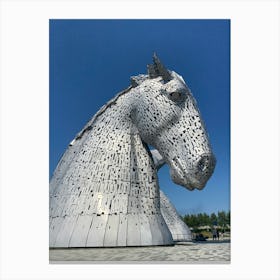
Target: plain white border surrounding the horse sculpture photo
(254,142)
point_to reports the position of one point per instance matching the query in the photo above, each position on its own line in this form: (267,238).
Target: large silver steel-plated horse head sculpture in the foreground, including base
(104,191)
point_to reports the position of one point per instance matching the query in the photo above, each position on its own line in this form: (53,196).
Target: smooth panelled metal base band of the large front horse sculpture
(119,230)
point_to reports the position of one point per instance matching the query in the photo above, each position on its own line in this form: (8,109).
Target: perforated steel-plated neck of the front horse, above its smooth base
(111,170)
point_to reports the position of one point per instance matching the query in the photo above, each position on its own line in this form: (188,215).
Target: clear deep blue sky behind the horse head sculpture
(92,60)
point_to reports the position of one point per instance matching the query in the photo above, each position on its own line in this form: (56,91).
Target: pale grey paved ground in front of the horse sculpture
(184,252)
